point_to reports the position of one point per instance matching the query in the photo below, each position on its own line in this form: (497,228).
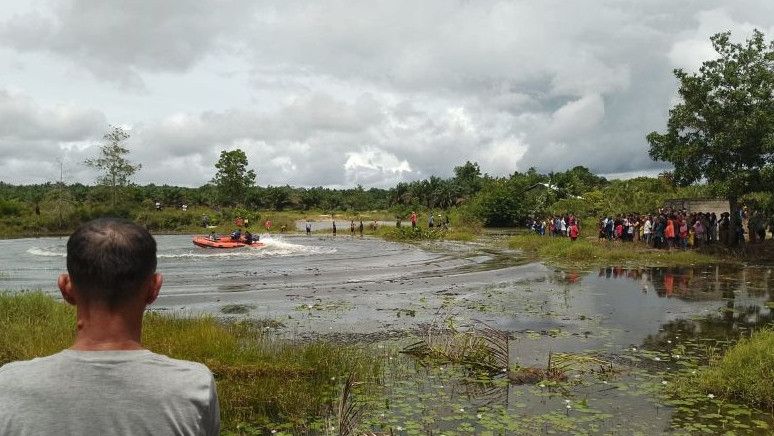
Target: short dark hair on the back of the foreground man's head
(109,260)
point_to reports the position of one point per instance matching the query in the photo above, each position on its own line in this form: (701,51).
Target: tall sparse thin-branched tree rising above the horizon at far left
(116,169)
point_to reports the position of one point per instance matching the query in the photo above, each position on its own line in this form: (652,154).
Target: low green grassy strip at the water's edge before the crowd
(585,251)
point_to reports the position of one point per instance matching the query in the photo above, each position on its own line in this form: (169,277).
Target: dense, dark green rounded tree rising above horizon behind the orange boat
(233,179)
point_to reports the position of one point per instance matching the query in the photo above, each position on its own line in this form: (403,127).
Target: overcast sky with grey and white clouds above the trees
(338,93)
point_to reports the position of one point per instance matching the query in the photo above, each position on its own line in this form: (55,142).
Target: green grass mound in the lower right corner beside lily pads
(745,373)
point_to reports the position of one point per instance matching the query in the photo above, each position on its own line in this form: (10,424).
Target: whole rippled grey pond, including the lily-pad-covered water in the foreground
(373,292)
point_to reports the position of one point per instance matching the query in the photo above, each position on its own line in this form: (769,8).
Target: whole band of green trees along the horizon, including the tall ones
(719,138)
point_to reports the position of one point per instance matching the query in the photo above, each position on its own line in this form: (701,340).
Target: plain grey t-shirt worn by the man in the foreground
(107,393)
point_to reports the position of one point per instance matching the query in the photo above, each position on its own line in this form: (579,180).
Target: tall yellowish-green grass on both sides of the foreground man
(263,383)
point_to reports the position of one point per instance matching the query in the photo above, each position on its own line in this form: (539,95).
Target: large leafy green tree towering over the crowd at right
(722,130)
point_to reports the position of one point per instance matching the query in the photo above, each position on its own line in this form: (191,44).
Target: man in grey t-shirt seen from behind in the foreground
(107,383)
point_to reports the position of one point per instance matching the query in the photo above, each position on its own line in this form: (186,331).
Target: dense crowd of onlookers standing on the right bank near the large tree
(665,229)
